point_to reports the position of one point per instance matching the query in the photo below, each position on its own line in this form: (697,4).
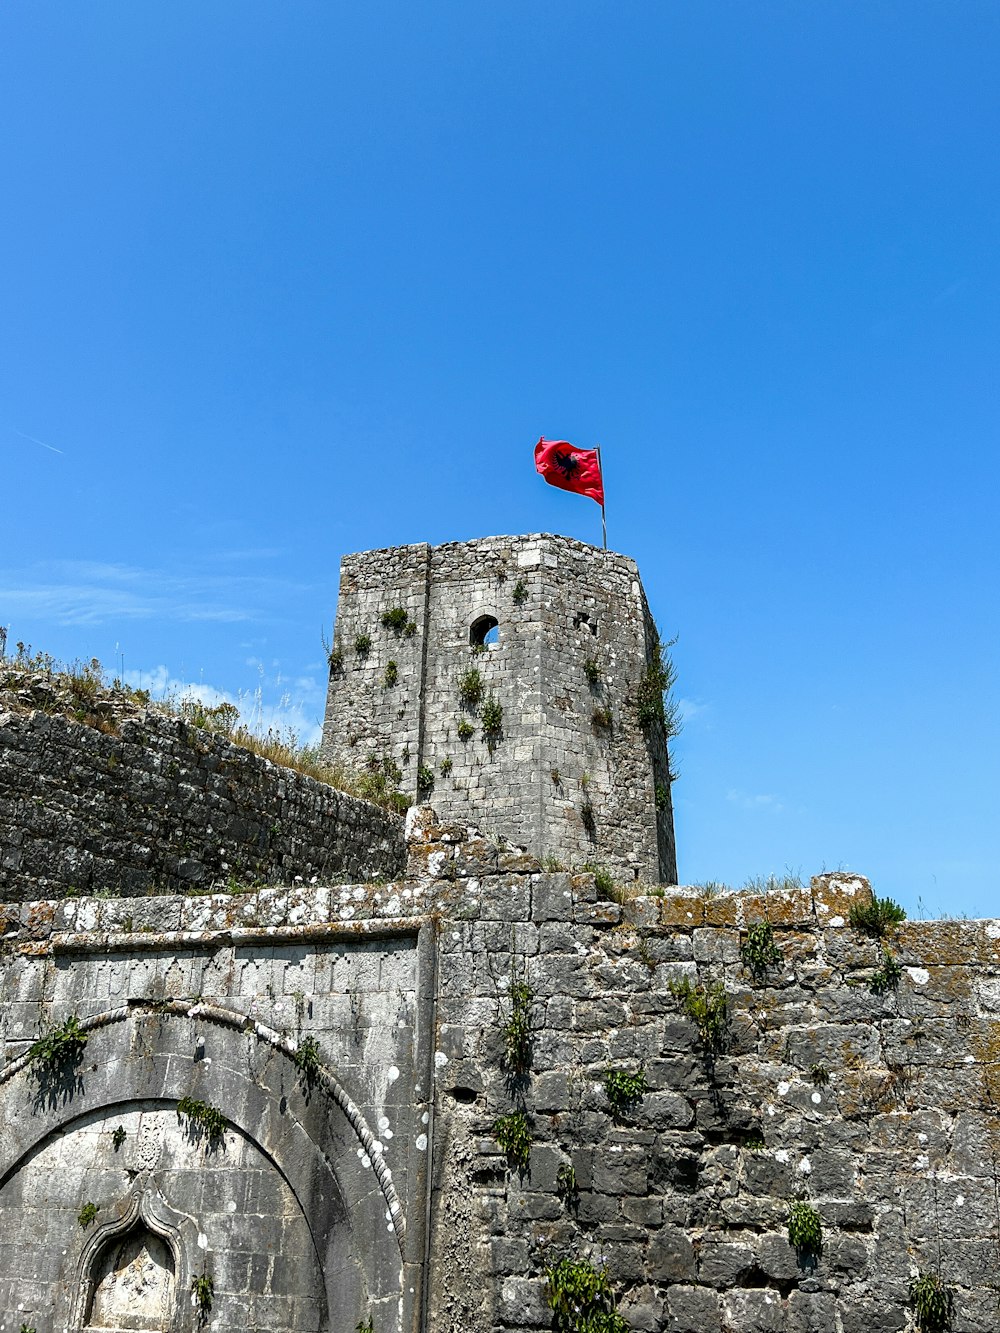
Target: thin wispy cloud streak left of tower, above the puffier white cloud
(86,593)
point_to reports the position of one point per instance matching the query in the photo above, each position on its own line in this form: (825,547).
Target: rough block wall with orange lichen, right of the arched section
(879,1110)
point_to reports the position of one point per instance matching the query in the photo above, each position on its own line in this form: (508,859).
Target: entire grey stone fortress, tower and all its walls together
(466,1090)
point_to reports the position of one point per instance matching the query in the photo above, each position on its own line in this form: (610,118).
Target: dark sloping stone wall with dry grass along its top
(162,806)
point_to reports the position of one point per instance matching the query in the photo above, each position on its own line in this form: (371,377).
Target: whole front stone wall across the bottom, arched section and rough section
(317,1212)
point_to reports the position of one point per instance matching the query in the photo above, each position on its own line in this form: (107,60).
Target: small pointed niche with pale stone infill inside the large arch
(133,1286)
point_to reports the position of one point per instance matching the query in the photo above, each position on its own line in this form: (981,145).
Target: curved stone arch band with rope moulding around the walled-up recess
(319,1144)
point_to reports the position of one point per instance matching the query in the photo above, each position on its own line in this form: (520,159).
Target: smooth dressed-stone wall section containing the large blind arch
(310,1204)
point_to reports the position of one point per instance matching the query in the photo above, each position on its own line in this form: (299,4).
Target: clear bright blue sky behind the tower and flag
(285,282)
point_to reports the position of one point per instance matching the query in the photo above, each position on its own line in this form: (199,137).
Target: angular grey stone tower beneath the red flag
(503,679)
